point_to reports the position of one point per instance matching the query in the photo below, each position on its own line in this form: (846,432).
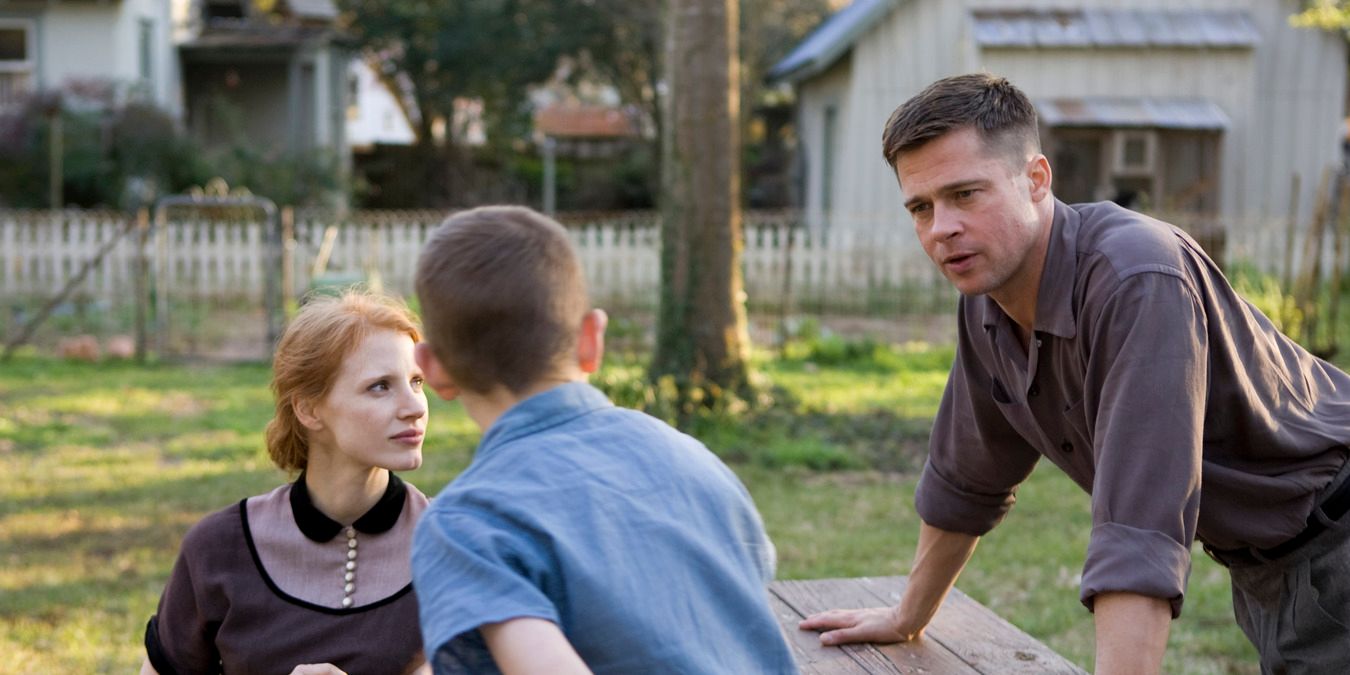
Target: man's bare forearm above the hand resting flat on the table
(940,558)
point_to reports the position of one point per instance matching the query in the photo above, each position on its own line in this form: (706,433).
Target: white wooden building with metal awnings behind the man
(1206,107)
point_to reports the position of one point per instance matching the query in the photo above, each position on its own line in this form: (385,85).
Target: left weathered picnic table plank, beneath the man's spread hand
(809,597)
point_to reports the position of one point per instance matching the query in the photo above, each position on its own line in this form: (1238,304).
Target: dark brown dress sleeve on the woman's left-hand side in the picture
(180,639)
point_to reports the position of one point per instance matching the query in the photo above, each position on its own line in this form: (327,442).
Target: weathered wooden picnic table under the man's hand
(965,637)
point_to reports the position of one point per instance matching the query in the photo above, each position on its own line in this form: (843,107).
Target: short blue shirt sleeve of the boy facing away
(472,570)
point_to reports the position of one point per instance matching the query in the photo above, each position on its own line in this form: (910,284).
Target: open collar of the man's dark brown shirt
(1055,298)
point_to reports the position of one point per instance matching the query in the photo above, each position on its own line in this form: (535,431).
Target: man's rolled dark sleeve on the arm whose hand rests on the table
(977,460)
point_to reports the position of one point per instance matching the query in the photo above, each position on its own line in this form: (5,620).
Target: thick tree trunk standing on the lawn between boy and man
(701,335)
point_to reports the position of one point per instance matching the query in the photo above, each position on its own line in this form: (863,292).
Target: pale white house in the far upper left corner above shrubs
(51,44)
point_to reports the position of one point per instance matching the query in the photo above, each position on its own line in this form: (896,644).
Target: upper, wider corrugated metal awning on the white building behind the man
(1114,29)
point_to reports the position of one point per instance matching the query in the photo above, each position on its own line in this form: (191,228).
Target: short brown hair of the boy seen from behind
(503,298)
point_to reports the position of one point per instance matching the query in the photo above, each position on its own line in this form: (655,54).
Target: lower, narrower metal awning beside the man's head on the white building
(1181,114)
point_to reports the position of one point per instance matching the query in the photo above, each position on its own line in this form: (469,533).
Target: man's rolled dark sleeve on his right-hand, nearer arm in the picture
(1147,385)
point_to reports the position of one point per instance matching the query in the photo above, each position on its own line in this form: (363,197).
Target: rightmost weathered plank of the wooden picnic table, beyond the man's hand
(979,637)
